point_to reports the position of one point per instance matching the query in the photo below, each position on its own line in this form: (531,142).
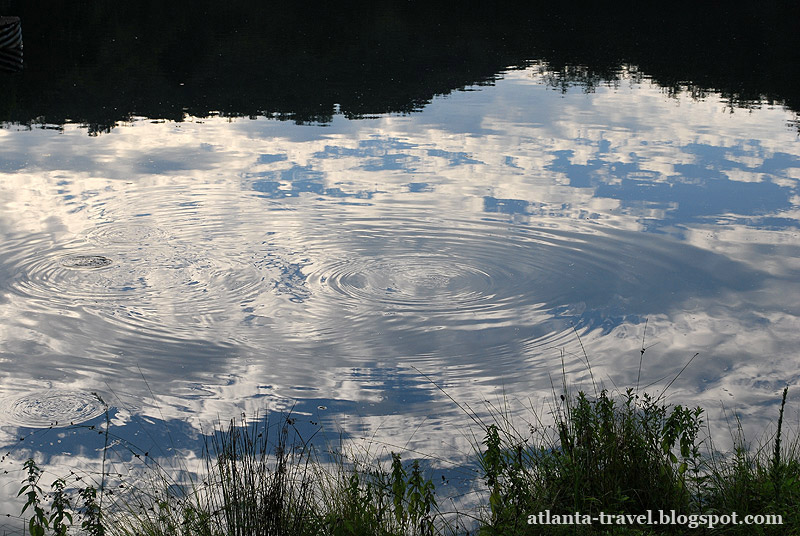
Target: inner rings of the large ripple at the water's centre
(435,270)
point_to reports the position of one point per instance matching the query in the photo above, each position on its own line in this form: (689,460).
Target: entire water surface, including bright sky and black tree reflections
(212,211)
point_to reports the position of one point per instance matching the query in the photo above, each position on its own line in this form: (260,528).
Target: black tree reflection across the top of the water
(97,63)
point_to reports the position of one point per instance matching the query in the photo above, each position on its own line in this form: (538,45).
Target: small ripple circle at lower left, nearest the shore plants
(50,408)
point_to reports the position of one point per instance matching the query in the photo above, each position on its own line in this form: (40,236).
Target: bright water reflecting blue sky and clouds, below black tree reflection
(190,271)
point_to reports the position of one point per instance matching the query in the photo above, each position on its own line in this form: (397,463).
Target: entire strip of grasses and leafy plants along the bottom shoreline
(622,463)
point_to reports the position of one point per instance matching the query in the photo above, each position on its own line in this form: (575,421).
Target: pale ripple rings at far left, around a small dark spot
(164,285)
